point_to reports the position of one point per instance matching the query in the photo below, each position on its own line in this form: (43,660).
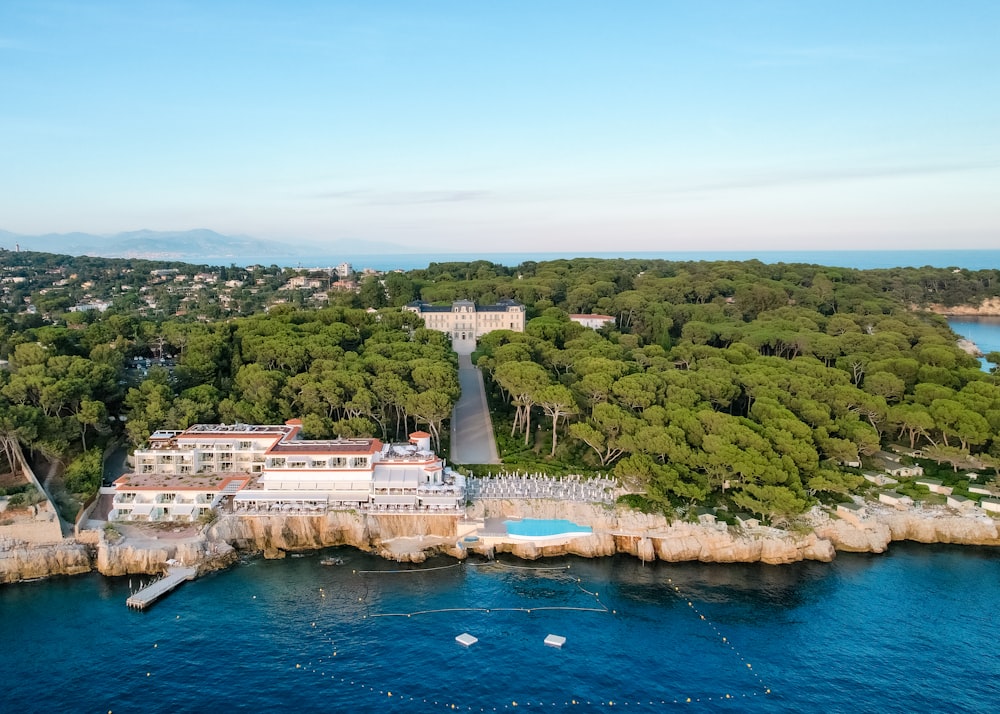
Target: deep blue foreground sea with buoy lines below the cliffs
(913,630)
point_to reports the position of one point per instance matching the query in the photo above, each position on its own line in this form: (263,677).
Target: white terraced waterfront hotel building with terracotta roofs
(270,468)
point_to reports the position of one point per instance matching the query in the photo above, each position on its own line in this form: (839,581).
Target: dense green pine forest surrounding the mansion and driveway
(758,386)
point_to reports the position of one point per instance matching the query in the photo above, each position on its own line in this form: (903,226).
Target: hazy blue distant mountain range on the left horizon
(197,246)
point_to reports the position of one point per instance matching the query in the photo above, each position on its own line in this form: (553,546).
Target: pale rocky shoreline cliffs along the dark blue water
(415,538)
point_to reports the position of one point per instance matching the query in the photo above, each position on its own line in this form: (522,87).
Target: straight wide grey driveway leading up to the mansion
(472,440)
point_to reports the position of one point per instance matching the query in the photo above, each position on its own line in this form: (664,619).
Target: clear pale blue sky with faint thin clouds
(657,125)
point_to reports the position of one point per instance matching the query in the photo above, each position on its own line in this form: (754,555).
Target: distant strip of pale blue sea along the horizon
(862,259)
